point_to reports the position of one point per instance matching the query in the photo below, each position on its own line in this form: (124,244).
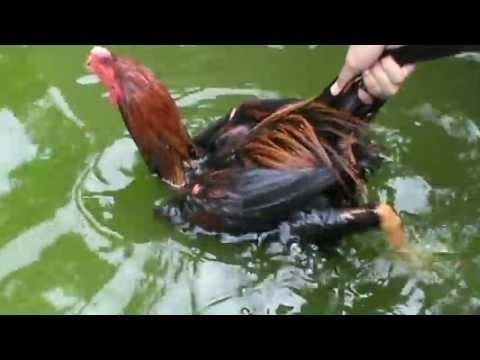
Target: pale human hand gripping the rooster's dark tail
(382,79)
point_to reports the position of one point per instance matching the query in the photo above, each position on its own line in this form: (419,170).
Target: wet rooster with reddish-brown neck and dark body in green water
(270,167)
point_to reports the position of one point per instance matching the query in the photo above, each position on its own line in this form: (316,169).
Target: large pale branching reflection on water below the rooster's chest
(182,288)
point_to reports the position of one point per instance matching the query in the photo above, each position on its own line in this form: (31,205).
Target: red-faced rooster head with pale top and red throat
(102,63)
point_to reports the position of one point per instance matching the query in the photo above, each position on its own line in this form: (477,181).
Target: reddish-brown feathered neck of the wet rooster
(153,119)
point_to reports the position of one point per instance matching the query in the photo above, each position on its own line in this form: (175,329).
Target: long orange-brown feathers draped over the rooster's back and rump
(291,138)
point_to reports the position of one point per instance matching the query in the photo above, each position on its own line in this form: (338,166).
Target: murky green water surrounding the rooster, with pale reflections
(77,233)
